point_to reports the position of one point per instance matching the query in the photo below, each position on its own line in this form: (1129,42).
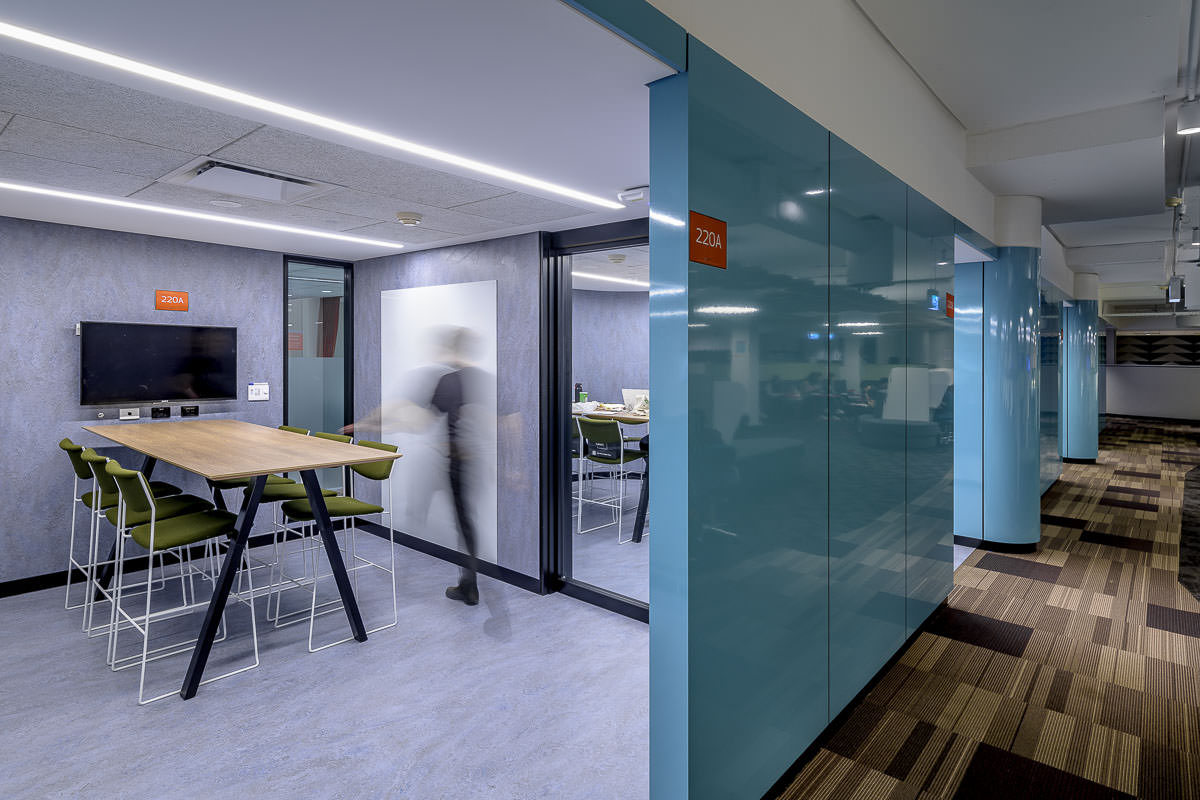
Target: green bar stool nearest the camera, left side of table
(161,526)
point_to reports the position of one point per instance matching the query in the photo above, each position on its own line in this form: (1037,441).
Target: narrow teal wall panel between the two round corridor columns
(1051,395)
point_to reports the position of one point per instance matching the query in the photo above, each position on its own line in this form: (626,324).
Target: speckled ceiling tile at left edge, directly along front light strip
(55,95)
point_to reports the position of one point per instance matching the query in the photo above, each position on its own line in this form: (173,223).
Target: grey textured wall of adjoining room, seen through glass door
(610,342)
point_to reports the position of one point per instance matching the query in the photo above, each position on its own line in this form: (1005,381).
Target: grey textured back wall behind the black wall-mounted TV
(53,276)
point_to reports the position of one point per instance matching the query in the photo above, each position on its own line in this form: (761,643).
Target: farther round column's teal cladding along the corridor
(1082,381)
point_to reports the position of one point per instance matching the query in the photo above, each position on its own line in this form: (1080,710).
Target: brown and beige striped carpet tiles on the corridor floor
(1073,672)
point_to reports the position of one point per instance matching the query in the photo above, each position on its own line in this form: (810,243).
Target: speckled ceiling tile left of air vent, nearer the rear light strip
(89,149)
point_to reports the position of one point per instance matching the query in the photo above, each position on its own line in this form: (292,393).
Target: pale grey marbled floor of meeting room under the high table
(523,697)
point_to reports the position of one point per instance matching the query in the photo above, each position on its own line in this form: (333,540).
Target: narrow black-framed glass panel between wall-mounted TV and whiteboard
(319,340)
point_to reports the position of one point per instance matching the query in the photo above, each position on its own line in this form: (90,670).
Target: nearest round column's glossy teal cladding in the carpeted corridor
(1012,449)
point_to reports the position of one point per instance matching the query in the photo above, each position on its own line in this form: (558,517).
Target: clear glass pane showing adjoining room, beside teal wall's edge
(610,380)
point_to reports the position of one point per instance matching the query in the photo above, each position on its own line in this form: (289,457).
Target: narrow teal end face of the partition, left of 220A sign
(669,388)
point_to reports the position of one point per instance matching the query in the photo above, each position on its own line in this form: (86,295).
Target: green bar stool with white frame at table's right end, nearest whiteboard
(351,509)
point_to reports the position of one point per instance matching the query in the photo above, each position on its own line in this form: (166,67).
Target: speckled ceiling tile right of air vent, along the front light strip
(303,157)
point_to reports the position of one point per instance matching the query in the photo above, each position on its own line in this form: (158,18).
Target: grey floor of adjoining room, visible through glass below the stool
(597,557)
